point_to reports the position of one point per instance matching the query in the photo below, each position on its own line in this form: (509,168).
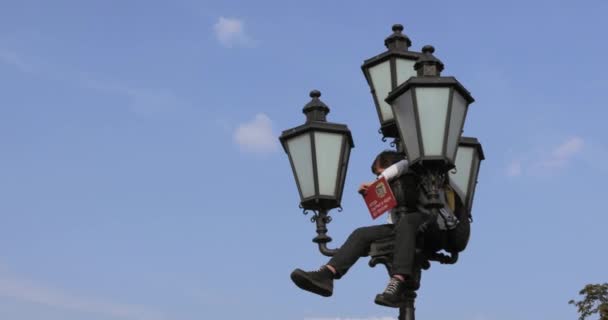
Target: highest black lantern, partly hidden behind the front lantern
(385,72)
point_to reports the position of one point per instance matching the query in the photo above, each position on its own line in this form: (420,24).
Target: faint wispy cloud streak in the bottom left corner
(28,291)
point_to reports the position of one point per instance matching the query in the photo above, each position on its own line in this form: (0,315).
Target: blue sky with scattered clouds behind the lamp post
(141,176)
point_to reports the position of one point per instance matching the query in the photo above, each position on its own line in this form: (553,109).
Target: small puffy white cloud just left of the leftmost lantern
(256,135)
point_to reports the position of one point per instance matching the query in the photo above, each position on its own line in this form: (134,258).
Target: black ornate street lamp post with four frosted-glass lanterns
(425,114)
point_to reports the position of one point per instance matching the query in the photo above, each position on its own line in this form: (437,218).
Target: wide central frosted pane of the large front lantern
(433,111)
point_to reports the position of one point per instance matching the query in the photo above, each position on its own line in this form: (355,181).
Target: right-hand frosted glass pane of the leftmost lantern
(329,146)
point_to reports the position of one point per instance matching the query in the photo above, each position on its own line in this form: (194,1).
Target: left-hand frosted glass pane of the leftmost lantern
(301,155)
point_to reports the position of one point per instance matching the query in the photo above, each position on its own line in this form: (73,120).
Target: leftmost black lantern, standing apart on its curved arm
(318,152)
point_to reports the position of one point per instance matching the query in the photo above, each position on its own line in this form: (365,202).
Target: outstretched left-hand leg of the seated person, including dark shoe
(357,245)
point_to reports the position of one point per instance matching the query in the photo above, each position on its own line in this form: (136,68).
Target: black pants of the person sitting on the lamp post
(359,241)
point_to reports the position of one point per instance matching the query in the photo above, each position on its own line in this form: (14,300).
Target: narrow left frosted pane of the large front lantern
(403,108)
